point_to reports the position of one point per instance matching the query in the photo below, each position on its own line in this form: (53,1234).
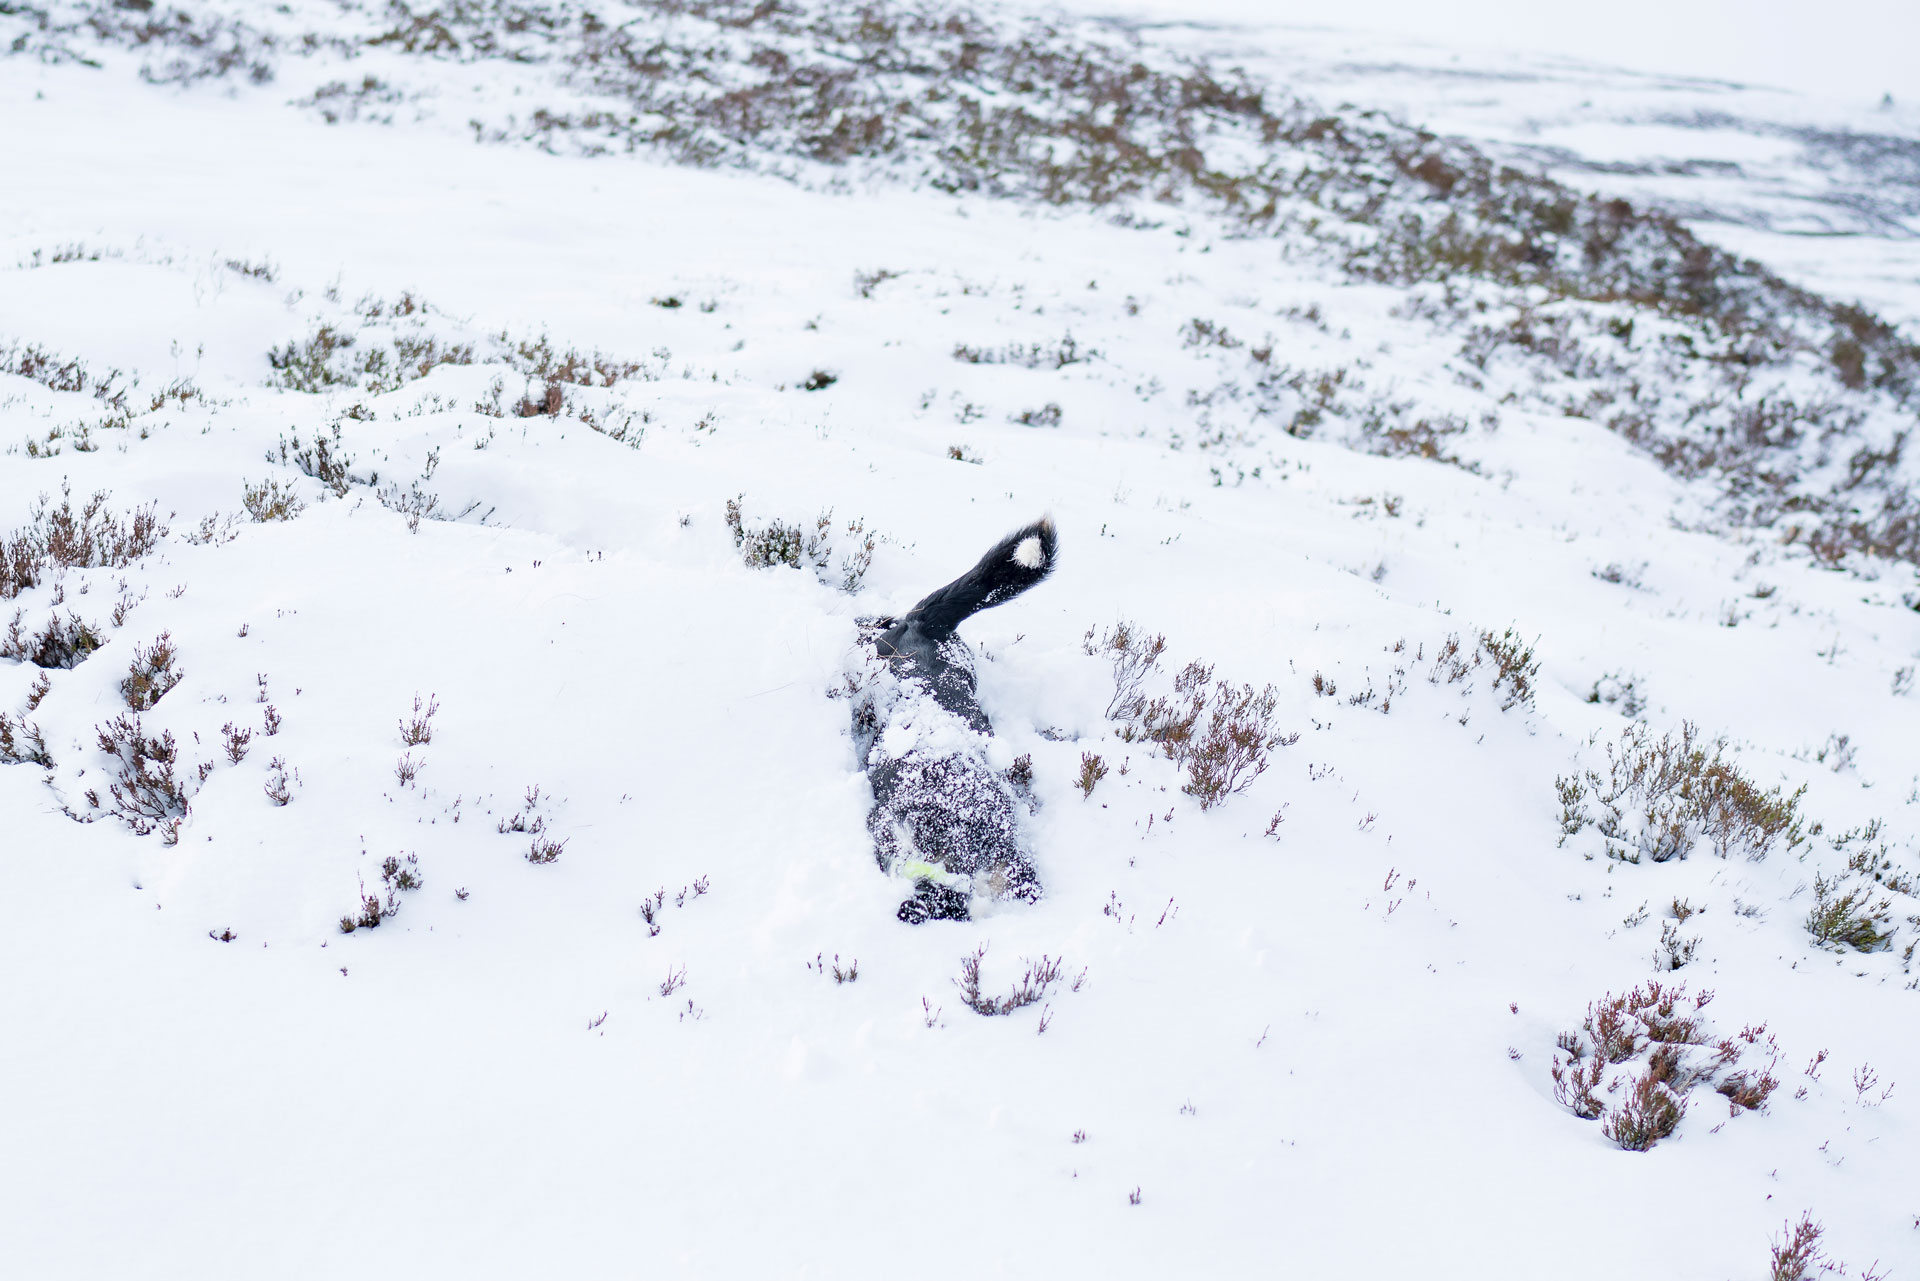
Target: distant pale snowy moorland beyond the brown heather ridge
(1823,191)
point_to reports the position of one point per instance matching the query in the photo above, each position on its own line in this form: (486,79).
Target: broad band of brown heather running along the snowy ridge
(1078,114)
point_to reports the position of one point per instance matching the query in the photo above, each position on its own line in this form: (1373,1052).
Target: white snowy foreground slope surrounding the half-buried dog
(1305,1032)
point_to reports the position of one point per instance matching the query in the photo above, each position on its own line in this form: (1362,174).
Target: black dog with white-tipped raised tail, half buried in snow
(944,817)
